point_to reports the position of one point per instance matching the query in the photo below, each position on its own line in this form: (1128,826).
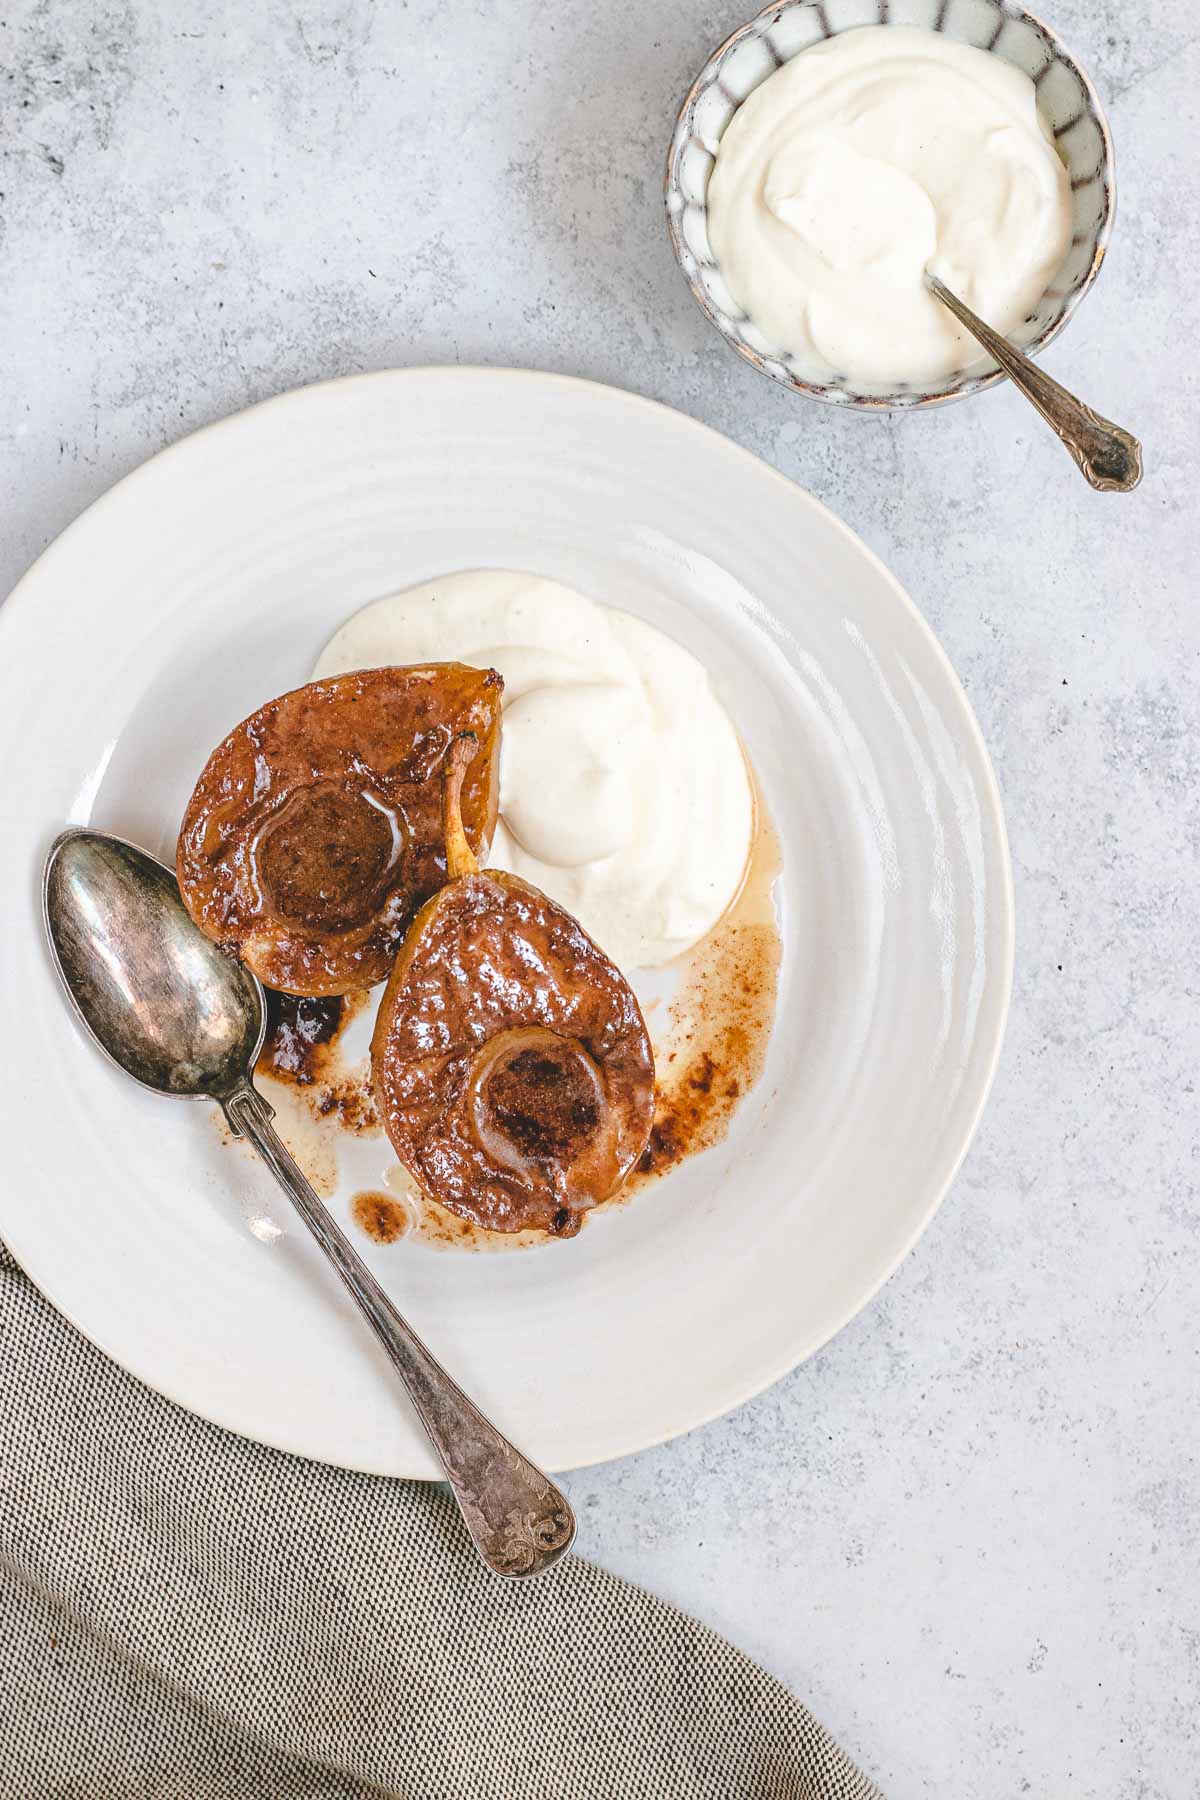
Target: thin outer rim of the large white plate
(19,600)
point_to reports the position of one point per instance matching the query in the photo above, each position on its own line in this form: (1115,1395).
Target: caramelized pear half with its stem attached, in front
(512,1061)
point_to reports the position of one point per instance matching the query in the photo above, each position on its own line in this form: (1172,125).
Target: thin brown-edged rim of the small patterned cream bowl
(830,393)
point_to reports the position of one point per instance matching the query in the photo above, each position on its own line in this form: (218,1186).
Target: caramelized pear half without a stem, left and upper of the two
(316,831)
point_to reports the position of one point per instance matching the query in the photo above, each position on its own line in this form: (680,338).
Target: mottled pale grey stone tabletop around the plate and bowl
(969,1533)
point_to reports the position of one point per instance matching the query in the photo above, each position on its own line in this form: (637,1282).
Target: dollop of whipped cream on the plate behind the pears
(623,787)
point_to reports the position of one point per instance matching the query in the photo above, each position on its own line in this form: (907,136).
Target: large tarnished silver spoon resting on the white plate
(186,1020)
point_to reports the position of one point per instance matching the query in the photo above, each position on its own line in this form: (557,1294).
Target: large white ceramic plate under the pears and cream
(208,582)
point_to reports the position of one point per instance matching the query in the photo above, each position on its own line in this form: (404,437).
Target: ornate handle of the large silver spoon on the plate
(519,1520)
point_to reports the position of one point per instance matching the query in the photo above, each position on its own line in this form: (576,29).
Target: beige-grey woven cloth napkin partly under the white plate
(186,1615)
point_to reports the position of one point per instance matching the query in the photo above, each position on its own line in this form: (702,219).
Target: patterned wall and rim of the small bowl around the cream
(1066,98)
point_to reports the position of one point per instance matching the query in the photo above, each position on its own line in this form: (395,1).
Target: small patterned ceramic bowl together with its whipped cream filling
(821,166)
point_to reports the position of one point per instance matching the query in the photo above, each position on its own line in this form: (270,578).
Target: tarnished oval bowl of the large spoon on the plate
(159,998)
